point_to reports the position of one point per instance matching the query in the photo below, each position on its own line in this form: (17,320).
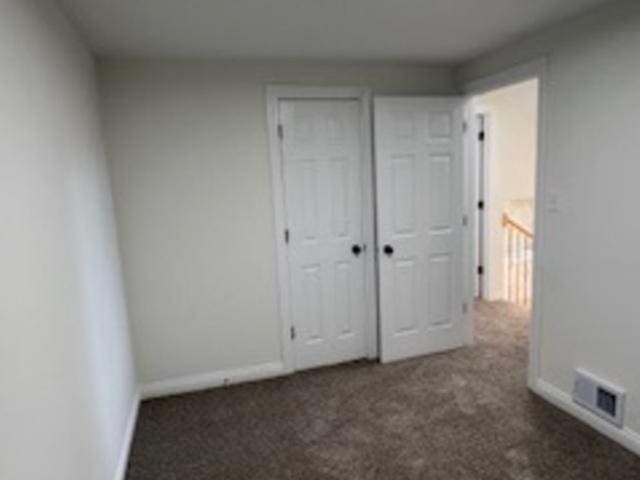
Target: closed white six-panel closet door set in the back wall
(323,181)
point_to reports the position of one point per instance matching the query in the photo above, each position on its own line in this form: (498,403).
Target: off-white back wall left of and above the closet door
(189,151)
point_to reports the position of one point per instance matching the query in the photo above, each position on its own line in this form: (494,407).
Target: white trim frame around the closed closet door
(275,94)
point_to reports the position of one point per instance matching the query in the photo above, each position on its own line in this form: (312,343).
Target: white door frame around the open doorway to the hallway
(536,69)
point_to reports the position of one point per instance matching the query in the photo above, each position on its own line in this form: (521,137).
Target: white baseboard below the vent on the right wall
(624,436)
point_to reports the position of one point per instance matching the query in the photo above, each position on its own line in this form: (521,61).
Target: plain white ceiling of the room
(416,30)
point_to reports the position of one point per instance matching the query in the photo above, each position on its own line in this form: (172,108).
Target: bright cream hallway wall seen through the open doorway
(512,135)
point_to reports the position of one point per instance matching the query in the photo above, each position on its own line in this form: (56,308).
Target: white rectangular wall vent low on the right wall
(600,397)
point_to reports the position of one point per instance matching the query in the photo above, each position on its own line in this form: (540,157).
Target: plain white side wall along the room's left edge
(66,373)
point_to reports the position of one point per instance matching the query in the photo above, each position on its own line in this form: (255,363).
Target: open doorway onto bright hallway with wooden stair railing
(505,127)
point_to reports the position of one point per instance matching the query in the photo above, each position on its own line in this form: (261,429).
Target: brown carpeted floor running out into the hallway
(461,415)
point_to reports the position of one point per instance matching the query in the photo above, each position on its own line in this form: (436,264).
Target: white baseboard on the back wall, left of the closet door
(218,378)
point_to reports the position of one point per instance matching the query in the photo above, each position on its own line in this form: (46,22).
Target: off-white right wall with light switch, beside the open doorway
(589,309)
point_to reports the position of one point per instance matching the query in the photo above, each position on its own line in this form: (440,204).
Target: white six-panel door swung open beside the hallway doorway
(420,209)
